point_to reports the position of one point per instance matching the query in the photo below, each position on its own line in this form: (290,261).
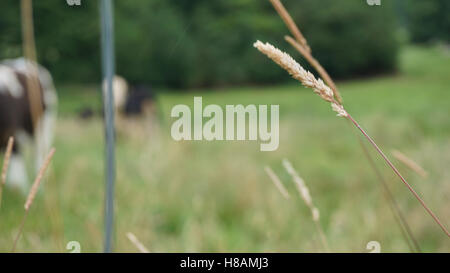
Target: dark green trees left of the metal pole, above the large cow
(67,38)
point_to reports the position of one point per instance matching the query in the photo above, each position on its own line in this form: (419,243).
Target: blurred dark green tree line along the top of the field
(195,43)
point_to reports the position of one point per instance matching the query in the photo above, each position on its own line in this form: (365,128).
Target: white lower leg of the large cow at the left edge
(17,173)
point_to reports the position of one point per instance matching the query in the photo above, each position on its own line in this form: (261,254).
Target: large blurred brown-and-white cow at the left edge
(16,119)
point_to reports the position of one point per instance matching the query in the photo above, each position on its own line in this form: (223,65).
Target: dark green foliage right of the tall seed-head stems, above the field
(347,37)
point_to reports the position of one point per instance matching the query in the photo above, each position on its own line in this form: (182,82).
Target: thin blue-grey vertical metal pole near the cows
(107,36)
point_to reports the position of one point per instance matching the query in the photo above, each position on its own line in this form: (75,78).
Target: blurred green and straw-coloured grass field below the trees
(215,196)
